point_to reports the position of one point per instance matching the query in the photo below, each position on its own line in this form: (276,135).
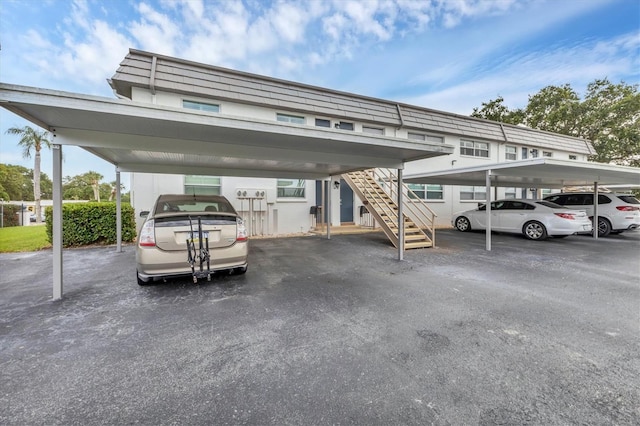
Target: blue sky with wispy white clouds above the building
(449,55)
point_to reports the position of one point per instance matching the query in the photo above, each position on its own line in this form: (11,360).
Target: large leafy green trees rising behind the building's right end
(608,116)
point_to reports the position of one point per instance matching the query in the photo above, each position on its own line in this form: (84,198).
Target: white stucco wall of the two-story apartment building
(285,216)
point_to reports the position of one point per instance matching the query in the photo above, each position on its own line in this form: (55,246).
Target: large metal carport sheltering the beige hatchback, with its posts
(143,137)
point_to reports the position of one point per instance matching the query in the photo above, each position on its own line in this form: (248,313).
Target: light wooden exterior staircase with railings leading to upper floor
(378,190)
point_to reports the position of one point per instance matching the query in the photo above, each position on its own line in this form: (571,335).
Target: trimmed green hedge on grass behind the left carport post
(92,223)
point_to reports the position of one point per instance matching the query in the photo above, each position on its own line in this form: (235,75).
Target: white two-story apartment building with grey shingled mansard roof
(284,205)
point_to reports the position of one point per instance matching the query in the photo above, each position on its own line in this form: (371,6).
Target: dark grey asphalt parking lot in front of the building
(330,333)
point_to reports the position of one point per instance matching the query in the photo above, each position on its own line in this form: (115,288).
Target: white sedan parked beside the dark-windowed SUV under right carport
(535,219)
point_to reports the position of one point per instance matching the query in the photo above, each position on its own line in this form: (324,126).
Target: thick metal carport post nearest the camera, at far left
(57,221)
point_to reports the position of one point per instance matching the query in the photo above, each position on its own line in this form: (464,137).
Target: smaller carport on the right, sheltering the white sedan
(532,173)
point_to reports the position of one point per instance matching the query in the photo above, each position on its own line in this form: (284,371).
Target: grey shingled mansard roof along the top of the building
(162,73)
